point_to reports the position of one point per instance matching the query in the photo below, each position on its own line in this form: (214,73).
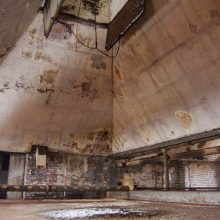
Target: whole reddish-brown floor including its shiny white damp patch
(104,209)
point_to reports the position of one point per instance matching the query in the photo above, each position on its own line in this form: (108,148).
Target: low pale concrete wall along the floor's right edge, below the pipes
(170,196)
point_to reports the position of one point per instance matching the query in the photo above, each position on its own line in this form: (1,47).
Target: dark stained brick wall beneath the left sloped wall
(69,169)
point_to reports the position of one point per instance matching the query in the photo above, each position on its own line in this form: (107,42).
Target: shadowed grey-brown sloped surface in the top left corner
(15,16)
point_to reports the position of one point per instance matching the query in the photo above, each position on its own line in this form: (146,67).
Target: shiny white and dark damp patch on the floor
(98,212)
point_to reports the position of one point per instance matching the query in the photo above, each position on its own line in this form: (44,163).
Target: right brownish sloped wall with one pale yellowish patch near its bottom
(166,76)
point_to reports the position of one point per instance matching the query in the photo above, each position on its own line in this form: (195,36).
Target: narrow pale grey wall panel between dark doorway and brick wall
(16,174)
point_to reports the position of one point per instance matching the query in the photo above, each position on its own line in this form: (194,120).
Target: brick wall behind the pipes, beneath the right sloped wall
(182,174)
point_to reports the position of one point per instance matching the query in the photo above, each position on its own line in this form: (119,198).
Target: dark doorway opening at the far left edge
(4,166)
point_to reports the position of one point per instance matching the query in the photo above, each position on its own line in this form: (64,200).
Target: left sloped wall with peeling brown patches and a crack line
(56,92)
